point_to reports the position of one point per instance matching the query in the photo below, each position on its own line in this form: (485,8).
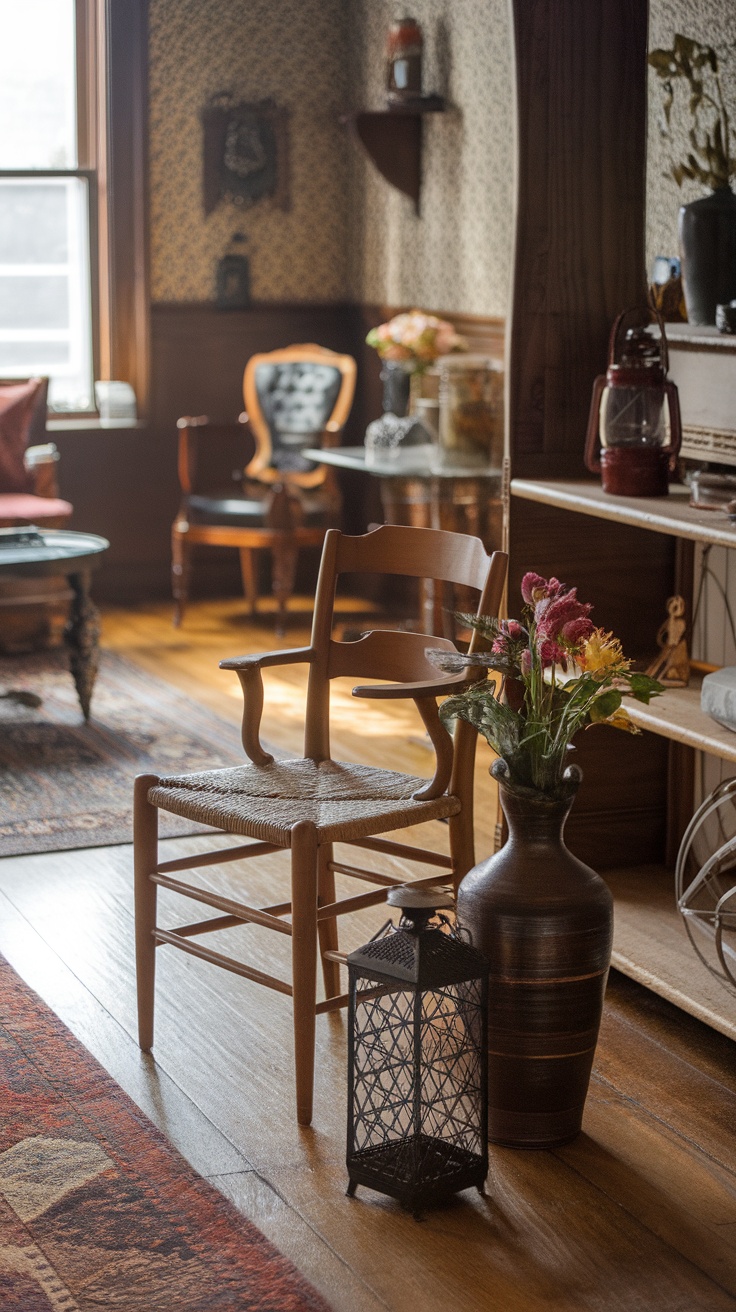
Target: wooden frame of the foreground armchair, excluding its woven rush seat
(314,907)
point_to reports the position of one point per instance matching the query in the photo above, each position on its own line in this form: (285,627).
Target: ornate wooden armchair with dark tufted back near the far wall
(296,398)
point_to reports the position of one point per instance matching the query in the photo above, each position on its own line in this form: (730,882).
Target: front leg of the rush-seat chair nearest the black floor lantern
(305,961)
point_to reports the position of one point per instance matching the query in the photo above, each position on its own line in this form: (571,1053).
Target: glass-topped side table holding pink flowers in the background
(419,490)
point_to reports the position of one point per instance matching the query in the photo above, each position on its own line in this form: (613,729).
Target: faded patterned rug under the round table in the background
(65,784)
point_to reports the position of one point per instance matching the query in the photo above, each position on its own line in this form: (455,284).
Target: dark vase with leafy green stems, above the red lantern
(708,246)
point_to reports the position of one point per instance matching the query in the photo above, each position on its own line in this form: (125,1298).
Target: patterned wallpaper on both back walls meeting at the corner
(348,234)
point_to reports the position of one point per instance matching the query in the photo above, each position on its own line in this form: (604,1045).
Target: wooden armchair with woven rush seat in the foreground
(312,804)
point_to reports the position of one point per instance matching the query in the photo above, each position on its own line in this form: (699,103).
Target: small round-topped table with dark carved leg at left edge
(72,556)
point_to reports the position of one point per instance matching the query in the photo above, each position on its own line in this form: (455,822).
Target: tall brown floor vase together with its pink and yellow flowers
(541,916)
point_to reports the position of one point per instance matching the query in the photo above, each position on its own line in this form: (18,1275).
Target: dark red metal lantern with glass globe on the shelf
(634,430)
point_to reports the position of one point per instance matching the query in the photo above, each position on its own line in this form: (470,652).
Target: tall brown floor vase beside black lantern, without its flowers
(545,923)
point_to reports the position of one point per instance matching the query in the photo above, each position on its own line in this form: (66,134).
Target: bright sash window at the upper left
(48,196)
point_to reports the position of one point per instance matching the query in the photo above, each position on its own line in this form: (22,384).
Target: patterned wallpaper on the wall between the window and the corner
(295,53)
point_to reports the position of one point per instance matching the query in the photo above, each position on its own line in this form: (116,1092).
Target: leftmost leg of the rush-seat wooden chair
(146,857)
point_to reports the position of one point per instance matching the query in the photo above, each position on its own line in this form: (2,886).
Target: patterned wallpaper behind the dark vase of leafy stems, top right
(714,24)
